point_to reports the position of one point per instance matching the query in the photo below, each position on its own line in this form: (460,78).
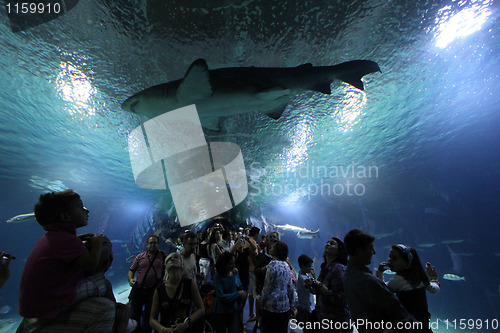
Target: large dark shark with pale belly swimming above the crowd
(230,91)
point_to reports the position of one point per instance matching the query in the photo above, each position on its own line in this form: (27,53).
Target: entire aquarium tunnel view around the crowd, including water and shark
(303,118)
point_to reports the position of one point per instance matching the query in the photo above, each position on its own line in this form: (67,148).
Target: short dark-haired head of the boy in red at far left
(61,207)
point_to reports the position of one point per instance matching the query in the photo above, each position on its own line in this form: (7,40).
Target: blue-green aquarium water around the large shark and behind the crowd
(428,126)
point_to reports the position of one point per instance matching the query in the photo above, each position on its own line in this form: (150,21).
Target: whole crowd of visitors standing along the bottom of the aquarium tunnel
(208,278)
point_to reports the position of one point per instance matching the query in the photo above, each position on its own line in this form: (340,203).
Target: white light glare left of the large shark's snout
(75,87)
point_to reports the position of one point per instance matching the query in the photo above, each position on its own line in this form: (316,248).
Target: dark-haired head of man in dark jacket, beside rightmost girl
(359,246)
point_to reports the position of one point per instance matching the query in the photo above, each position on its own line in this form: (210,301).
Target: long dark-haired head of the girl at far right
(404,261)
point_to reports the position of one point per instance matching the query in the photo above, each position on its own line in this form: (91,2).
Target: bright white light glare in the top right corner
(463,23)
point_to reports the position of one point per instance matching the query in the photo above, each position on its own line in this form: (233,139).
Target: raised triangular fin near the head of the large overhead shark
(196,83)
